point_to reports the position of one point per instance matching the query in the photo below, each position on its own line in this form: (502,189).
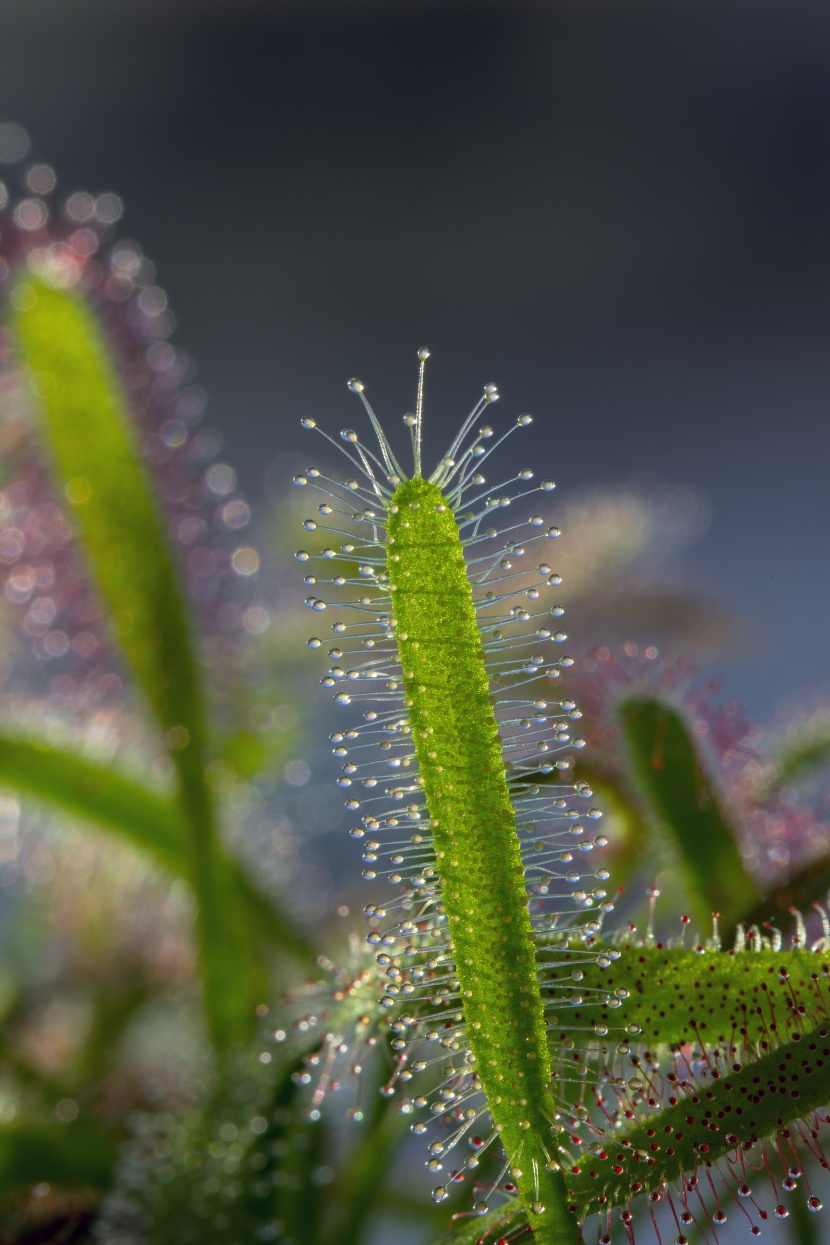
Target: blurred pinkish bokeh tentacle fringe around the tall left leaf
(70,243)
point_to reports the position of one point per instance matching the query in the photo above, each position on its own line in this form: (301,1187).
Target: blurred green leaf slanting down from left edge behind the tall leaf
(154,824)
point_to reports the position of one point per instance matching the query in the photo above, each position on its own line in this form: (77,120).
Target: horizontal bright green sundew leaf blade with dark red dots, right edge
(676,997)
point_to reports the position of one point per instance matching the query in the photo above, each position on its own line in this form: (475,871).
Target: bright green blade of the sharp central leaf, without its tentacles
(460,756)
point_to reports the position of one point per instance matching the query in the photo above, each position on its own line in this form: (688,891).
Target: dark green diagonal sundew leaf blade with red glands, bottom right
(782,1088)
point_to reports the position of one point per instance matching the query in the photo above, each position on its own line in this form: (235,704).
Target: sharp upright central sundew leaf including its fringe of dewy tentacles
(450,619)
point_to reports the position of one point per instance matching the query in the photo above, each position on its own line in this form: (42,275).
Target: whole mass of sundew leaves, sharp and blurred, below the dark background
(578,1060)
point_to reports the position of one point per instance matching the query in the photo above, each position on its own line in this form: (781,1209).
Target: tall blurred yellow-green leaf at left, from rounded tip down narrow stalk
(95,458)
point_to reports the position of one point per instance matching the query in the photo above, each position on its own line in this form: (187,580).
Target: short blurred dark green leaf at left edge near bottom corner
(80,1155)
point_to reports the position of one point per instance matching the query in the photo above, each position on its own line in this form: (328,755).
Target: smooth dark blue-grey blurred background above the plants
(618,210)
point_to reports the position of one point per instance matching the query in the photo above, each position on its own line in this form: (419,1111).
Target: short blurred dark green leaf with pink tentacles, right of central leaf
(683,795)
